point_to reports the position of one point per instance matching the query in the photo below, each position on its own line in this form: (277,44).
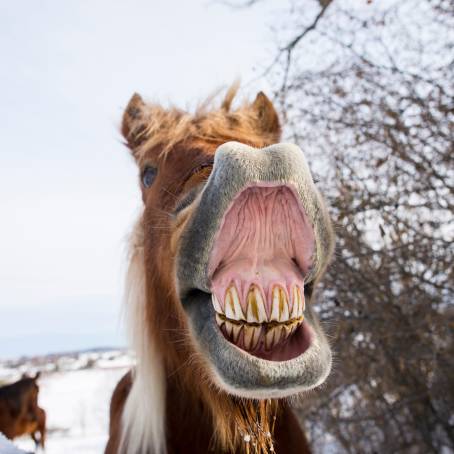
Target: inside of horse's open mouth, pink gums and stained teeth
(260,257)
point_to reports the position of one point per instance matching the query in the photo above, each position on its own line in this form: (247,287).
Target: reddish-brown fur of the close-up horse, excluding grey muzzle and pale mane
(182,147)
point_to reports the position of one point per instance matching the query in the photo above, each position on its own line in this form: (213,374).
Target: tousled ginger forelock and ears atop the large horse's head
(153,126)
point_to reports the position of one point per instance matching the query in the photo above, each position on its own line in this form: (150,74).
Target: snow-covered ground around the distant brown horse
(75,392)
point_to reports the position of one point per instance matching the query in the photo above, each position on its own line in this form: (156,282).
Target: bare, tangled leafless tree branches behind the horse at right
(367,89)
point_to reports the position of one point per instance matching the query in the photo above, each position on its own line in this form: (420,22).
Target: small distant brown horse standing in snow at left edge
(19,410)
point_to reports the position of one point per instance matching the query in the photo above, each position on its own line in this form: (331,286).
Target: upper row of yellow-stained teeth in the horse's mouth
(281,309)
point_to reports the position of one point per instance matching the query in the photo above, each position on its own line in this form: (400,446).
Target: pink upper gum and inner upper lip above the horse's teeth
(265,239)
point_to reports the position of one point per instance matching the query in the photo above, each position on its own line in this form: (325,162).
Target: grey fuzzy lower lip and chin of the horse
(246,375)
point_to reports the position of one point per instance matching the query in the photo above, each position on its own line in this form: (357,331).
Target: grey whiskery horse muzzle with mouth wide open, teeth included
(258,236)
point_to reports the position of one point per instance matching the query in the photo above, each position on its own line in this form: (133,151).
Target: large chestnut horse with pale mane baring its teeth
(224,262)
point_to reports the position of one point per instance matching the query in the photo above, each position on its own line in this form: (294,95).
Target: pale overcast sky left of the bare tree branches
(68,189)
